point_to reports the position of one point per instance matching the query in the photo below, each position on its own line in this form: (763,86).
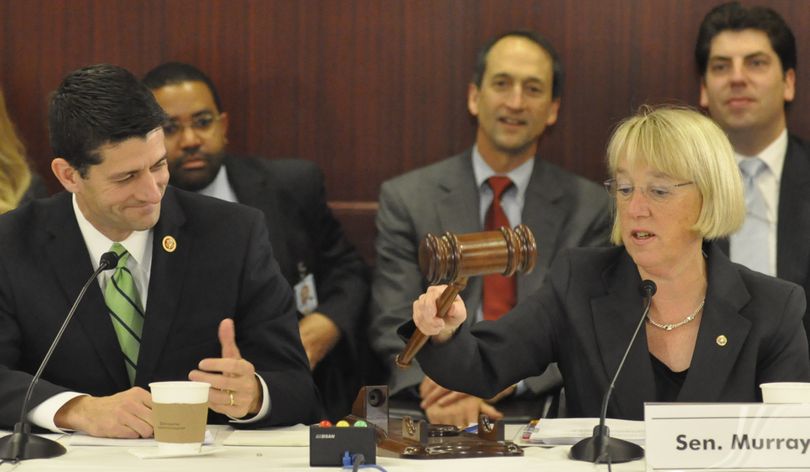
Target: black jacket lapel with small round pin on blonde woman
(711,362)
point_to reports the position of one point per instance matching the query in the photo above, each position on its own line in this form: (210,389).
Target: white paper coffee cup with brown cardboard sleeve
(180,413)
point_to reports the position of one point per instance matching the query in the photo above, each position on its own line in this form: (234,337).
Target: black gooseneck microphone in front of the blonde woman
(601,447)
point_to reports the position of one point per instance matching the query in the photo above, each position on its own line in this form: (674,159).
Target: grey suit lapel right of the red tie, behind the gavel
(544,217)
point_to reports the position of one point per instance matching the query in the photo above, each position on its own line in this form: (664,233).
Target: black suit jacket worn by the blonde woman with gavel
(585,314)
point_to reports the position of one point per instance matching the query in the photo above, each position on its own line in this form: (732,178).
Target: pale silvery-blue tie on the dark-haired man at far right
(751,245)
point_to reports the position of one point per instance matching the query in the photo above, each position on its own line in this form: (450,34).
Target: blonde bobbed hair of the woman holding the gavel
(686,145)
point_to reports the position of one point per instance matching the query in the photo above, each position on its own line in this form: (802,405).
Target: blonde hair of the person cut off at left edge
(15,177)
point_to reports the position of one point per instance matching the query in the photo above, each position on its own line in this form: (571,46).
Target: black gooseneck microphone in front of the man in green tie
(21,444)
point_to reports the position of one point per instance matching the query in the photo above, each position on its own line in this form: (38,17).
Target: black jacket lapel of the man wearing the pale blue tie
(793,226)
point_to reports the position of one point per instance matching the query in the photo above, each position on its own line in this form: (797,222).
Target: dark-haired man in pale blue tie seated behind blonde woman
(747,62)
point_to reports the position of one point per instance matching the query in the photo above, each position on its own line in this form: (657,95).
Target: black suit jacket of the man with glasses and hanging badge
(304,232)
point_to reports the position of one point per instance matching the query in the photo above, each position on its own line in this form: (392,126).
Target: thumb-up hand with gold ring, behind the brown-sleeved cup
(235,390)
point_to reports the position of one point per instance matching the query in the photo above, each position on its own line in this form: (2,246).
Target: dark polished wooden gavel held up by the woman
(457,257)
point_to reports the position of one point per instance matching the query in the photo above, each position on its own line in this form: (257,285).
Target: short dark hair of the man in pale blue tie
(735,17)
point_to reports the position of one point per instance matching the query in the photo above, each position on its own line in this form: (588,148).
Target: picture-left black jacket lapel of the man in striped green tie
(70,261)
